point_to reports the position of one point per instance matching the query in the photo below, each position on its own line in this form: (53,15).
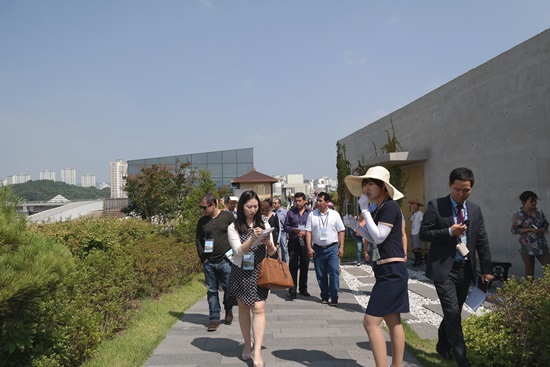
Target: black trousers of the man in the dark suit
(452,293)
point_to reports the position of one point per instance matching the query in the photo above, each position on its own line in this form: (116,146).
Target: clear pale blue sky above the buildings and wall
(83,83)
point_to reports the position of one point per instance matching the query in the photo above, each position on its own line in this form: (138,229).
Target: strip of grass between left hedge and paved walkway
(148,329)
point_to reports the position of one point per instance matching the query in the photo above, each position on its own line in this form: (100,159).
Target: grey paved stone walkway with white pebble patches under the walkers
(302,332)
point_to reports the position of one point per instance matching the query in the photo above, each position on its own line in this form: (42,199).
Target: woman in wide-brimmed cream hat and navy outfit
(389,297)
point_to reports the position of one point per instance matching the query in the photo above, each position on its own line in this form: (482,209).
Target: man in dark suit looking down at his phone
(448,222)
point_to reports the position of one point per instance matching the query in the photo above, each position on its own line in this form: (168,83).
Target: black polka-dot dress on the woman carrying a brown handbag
(243,283)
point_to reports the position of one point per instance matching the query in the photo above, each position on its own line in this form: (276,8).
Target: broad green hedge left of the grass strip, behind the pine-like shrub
(114,263)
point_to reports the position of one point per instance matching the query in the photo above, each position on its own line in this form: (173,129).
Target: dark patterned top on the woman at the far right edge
(530,243)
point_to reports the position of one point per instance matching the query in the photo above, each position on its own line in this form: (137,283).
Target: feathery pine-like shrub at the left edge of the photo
(31,268)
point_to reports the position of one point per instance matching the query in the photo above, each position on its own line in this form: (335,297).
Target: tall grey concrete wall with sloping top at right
(495,120)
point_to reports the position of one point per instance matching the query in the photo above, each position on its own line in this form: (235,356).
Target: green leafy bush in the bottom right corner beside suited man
(516,332)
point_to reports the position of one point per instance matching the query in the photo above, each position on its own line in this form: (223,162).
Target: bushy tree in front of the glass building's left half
(157,193)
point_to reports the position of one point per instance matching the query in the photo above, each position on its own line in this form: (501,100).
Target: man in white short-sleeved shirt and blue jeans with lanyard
(325,245)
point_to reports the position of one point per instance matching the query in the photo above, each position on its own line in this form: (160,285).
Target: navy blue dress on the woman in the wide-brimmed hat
(390,293)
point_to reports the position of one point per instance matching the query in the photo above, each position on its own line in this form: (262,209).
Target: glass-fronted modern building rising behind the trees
(225,165)
